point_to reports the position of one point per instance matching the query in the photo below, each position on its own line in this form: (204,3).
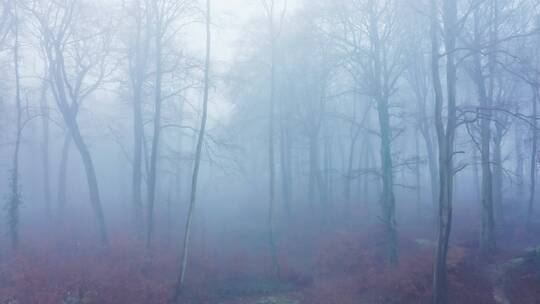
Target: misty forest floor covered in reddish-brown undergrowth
(317,266)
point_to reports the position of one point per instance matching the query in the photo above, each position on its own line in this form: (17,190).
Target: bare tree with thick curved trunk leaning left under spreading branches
(77,67)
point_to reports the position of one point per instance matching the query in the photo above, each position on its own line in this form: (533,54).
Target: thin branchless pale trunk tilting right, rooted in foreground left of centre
(200,142)
